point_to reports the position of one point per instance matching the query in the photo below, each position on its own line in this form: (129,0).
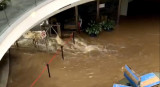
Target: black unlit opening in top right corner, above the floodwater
(144,7)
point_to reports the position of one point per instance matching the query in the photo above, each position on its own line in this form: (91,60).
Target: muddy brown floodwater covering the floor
(134,42)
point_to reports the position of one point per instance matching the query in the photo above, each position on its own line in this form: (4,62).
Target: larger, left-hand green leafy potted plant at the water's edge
(94,29)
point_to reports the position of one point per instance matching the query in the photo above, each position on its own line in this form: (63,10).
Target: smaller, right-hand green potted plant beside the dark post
(108,25)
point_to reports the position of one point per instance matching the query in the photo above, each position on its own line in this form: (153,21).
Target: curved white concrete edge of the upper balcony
(33,17)
